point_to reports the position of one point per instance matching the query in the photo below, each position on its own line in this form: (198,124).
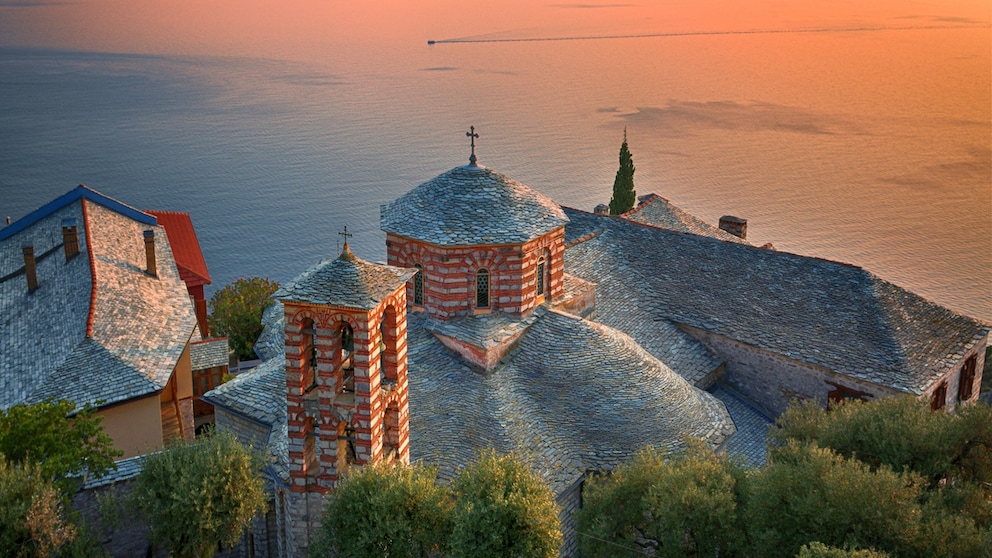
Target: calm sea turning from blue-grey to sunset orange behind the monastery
(872,147)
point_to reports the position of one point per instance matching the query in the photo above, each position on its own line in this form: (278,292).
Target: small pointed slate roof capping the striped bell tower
(347,281)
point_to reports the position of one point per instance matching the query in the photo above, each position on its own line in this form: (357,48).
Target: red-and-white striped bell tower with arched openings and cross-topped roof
(346,373)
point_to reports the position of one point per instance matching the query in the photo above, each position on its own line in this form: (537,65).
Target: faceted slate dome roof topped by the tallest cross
(471,205)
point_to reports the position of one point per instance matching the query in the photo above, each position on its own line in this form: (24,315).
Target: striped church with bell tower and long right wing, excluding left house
(503,320)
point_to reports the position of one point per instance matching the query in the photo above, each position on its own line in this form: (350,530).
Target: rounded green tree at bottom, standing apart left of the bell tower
(196,496)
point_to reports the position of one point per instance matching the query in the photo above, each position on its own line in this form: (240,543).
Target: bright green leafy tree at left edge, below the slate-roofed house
(62,446)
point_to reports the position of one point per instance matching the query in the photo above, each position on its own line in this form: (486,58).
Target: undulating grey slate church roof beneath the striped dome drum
(575,396)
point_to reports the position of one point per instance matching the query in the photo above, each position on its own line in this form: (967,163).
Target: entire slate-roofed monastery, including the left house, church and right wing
(499,320)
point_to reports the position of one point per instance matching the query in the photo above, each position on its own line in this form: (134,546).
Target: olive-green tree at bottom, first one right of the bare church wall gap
(685,504)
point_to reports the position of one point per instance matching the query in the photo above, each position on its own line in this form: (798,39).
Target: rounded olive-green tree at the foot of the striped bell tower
(383,510)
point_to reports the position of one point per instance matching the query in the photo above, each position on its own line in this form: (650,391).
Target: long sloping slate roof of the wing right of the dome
(824,313)
